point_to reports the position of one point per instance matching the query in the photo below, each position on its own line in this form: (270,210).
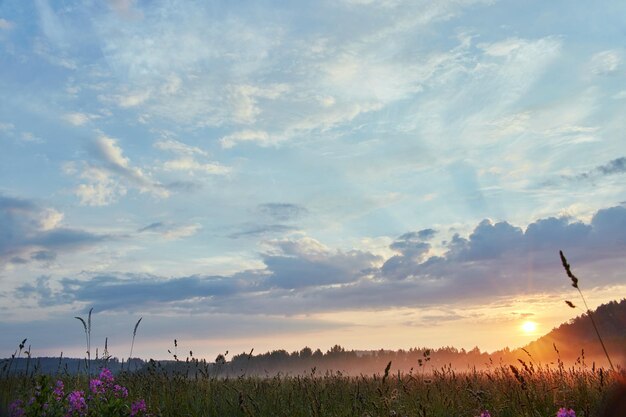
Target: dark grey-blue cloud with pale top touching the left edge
(36,233)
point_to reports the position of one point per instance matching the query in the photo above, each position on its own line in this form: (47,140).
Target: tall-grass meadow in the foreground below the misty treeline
(503,391)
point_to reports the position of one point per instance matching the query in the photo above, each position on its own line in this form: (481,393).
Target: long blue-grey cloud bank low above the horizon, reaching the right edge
(302,276)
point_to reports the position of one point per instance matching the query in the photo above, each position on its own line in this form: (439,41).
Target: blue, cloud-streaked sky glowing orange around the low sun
(273,175)
